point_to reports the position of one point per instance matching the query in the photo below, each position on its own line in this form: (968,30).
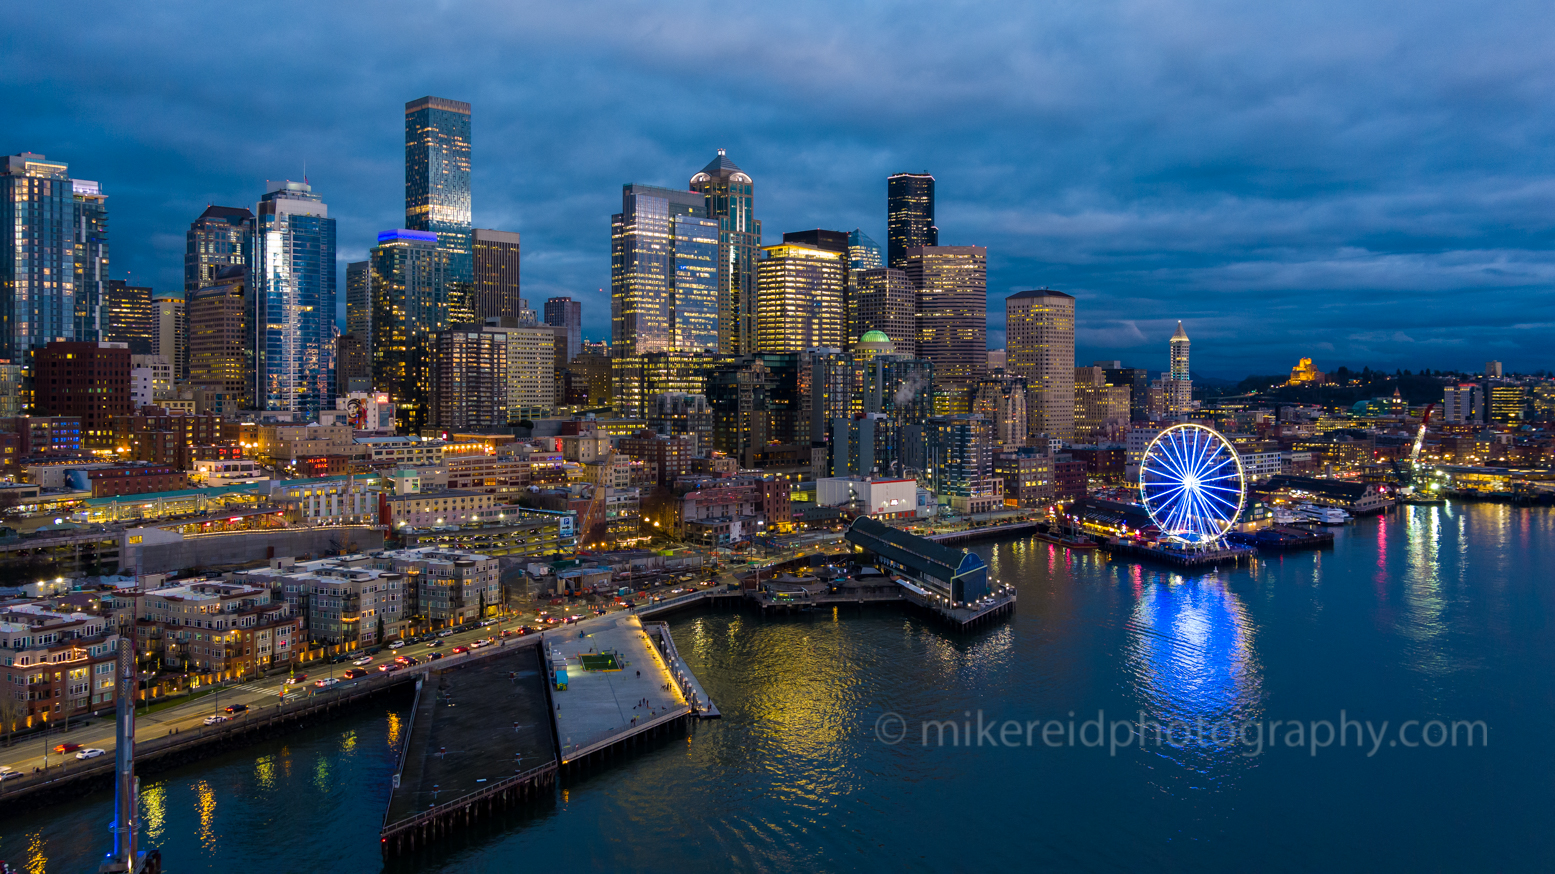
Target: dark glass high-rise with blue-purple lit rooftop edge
(410,288)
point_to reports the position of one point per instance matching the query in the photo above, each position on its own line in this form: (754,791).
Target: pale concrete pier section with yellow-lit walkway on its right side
(620,688)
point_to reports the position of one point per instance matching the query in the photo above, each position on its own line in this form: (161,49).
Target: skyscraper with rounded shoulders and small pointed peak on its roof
(732,203)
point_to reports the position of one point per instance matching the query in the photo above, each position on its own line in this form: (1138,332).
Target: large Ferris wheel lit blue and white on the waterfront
(1192,483)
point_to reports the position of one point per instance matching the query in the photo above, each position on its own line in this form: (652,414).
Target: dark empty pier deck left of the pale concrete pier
(480,741)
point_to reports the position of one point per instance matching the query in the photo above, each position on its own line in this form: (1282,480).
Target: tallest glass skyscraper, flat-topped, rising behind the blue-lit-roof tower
(438,178)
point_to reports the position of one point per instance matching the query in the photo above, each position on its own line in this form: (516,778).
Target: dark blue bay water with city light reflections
(1438,614)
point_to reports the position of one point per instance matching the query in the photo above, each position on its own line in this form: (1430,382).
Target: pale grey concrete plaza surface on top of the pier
(606,704)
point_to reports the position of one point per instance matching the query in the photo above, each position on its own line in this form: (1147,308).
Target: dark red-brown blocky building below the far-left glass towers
(88,382)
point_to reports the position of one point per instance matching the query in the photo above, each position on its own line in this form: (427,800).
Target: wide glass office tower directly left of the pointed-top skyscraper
(665,273)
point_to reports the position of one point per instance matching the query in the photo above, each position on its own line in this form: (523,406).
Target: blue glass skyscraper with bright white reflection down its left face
(295,301)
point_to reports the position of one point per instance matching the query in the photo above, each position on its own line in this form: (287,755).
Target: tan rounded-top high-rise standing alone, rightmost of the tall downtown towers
(1040,346)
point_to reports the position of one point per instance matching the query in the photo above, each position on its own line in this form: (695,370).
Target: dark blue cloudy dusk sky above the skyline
(1365,183)
